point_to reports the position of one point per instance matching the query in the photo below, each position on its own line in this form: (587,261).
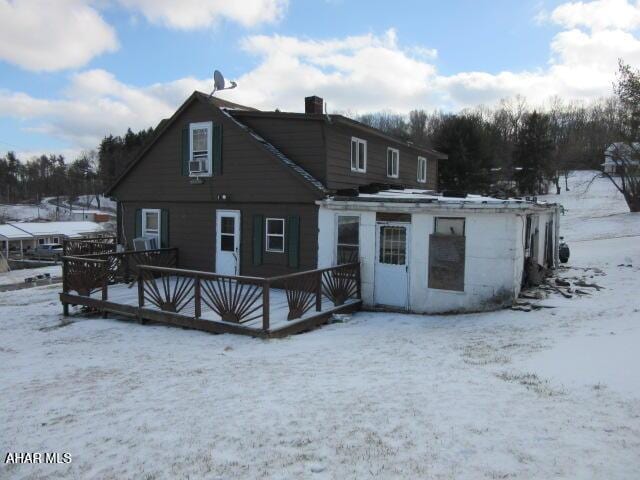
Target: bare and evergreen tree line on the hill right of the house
(515,149)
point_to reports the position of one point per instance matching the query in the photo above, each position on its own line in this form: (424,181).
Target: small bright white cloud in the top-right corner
(598,15)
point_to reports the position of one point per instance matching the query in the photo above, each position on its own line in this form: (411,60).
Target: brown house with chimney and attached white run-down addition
(259,193)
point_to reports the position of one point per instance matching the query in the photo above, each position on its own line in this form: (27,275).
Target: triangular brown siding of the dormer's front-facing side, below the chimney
(301,140)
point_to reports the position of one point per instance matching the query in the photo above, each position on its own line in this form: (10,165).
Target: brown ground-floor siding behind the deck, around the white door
(192,229)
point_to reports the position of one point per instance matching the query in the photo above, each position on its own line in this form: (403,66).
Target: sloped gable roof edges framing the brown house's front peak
(226,108)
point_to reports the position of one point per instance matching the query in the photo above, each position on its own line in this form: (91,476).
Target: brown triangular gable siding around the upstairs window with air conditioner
(245,167)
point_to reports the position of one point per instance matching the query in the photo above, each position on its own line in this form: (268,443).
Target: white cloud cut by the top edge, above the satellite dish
(193,14)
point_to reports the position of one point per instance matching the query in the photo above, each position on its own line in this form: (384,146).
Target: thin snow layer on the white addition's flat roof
(426,196)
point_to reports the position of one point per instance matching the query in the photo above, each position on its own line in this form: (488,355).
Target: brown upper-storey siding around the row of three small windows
(339,174)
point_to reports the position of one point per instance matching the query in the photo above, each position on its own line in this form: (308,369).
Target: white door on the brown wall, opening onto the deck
(228,242)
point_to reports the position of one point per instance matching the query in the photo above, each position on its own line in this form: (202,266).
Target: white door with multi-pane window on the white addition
(391,286)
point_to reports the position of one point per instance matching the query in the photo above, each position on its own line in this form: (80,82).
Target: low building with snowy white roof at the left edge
(20,237)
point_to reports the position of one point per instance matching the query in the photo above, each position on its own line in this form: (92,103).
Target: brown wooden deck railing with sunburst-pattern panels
(234,299)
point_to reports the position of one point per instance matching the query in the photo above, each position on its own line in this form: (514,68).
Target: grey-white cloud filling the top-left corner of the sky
(41,35)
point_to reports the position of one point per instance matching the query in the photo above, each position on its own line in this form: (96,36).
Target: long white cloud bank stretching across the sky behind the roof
(359,73)
